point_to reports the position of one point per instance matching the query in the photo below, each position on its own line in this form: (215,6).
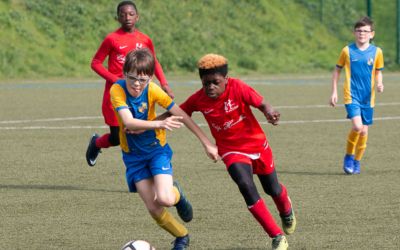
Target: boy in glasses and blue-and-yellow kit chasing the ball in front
(146,154)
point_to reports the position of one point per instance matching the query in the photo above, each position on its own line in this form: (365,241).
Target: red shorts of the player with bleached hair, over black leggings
(262,163)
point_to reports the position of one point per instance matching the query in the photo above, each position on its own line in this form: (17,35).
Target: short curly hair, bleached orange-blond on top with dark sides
(212,64)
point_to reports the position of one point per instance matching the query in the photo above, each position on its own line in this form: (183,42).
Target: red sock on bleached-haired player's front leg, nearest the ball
(264,217)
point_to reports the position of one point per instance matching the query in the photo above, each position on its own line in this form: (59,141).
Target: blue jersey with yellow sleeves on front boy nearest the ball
(143,108)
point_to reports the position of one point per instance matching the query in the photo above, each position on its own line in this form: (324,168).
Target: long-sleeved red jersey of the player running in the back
(116,46)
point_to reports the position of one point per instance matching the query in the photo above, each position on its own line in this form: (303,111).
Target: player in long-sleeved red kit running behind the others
(116,46)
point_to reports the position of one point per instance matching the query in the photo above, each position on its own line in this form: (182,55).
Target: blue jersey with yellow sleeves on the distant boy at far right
(360,67)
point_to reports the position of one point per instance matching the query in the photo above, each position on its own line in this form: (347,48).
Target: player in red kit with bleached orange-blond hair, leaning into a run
(226,103)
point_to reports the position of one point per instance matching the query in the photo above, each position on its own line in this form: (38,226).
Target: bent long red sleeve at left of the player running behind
(97,62)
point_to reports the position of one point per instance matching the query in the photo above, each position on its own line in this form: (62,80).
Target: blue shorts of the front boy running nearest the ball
(140,167)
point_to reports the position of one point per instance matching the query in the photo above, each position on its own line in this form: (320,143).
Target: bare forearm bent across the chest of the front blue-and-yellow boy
(134,124)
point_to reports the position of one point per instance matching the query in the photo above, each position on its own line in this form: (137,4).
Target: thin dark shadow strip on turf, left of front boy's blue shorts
(58,188)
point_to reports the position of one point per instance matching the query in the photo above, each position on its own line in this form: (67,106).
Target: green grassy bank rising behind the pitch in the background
(57,38)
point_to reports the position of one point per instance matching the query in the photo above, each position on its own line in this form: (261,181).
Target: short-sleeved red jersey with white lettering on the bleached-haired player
(231,121)
